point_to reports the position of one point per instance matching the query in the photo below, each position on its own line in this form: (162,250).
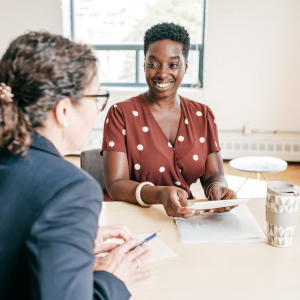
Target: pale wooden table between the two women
(210,271)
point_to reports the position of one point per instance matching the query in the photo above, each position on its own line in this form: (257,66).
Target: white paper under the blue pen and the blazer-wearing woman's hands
(159,249)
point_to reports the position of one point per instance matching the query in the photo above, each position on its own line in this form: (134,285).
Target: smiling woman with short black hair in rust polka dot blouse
(157,144)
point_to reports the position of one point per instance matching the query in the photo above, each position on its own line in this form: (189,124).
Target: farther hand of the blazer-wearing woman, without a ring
(108,232)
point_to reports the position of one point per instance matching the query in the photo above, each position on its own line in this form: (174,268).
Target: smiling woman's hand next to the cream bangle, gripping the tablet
(175,202)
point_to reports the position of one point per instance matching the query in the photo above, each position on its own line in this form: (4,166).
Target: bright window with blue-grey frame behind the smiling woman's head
(115,29)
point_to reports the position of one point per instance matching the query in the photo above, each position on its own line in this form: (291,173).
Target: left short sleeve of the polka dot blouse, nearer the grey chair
(114,135)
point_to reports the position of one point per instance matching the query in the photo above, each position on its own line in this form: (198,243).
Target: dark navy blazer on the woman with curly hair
(48,221)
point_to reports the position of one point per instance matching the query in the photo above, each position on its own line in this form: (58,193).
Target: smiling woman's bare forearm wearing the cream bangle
(124,190)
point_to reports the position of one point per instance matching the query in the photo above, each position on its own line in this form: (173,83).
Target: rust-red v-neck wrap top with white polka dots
(130,127)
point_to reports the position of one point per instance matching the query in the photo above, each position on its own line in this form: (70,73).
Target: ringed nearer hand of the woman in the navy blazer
(123,264)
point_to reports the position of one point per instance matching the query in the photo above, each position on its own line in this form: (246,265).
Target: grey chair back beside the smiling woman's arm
(92,162)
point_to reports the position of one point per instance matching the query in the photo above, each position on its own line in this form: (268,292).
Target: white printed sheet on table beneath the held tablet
(236,226)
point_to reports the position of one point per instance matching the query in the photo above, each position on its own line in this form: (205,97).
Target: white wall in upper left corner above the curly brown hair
(19,16)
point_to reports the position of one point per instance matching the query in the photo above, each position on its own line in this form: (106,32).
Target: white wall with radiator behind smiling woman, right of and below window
(251,74)
